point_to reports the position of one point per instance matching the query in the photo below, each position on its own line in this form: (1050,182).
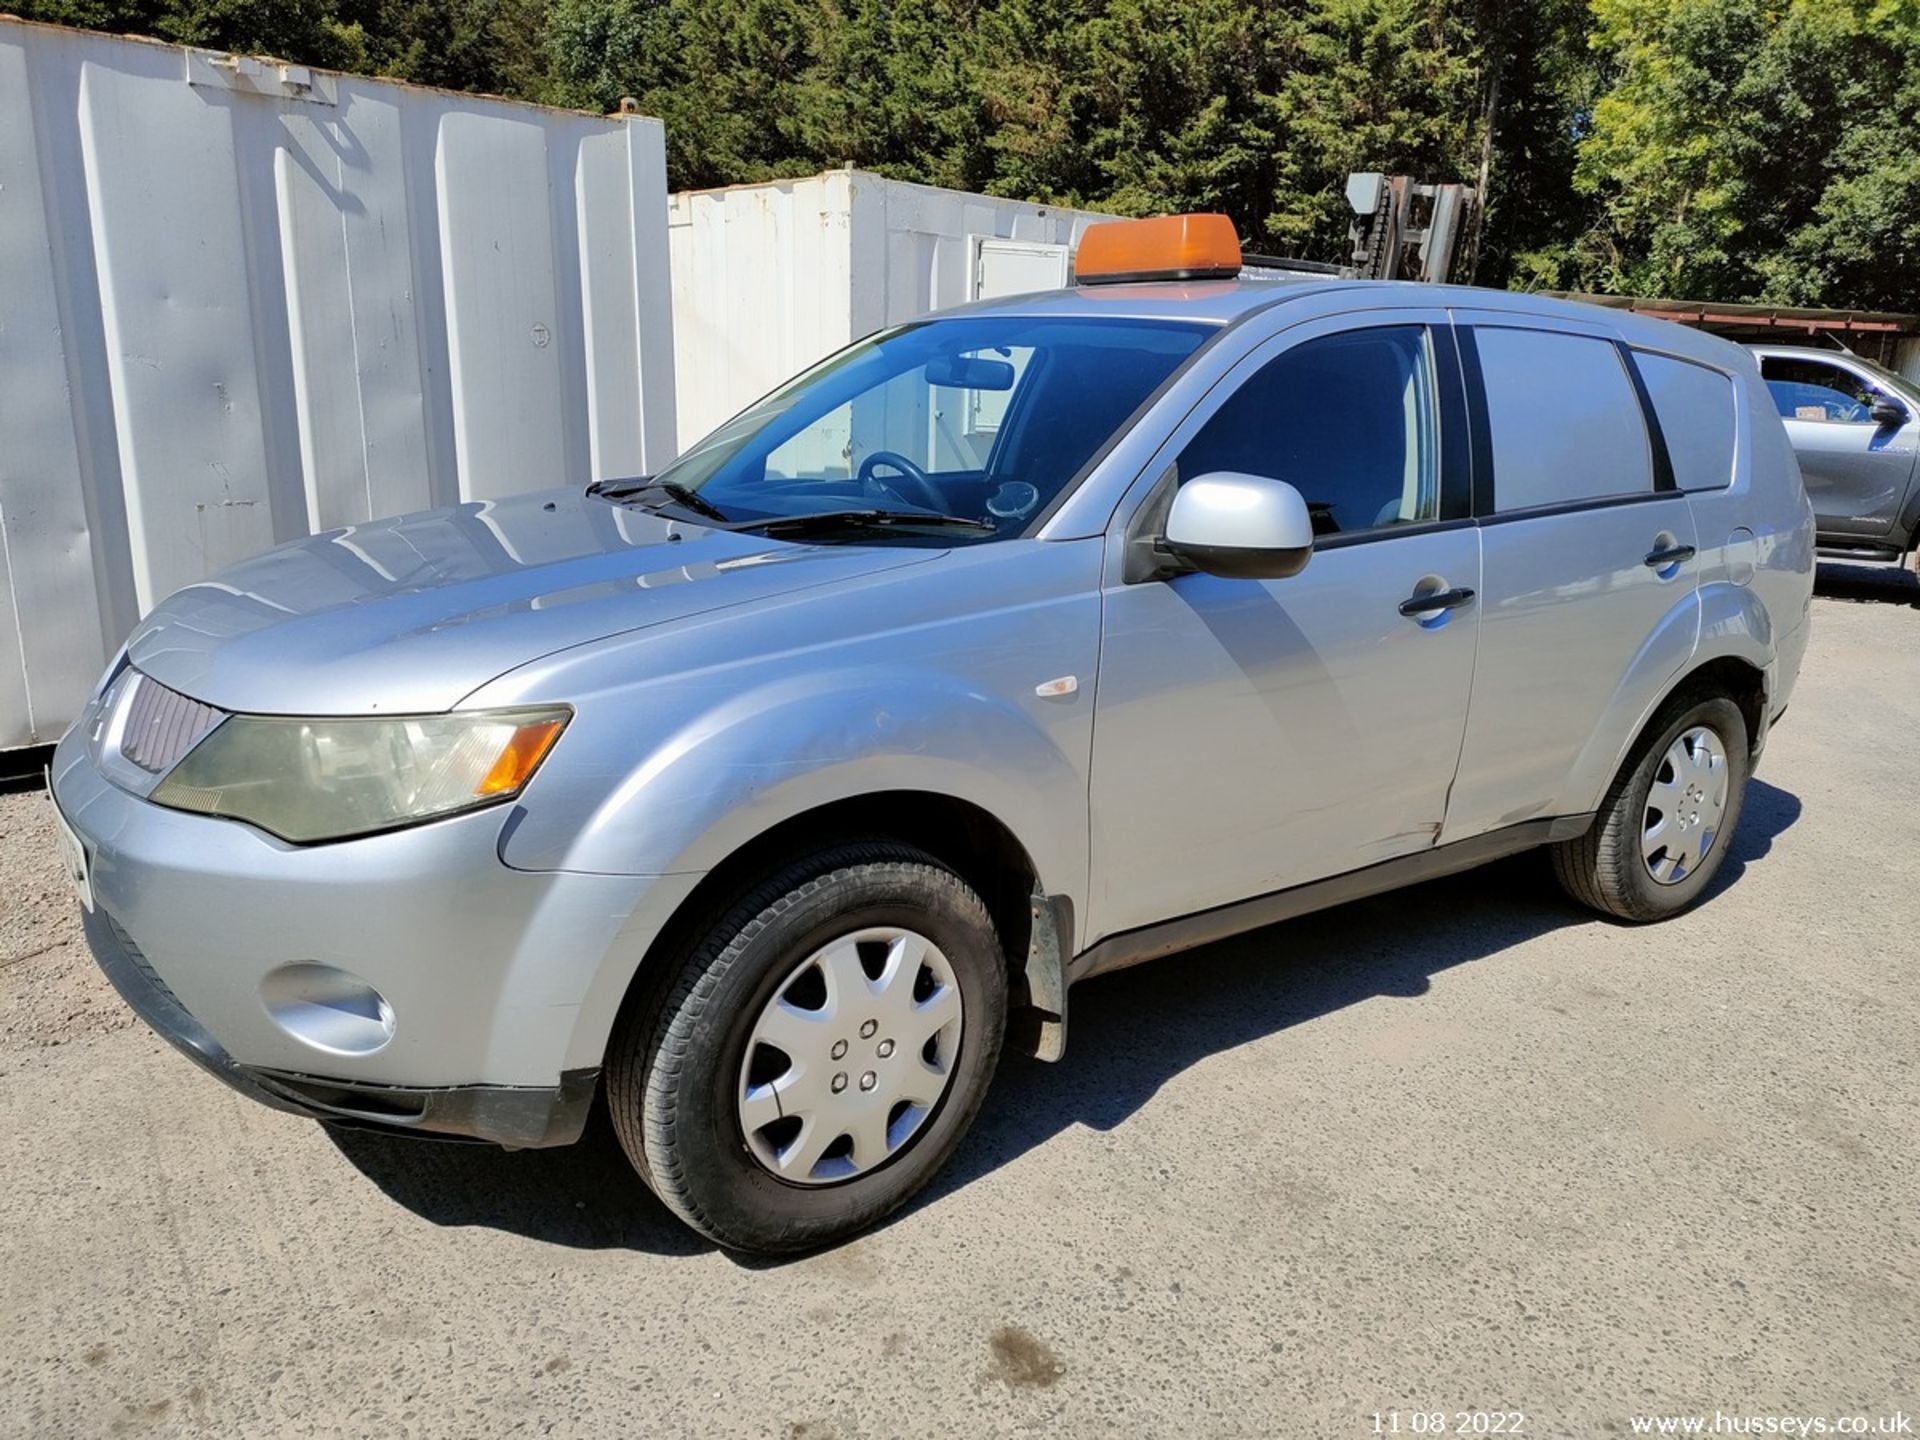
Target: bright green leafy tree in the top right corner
(1758,151)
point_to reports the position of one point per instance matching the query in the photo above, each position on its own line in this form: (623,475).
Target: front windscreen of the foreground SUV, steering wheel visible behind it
(982,418)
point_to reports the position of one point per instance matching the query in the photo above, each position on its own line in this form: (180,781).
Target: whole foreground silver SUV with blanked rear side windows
(769,796)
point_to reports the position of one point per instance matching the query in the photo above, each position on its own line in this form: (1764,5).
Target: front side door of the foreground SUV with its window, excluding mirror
(1262,734)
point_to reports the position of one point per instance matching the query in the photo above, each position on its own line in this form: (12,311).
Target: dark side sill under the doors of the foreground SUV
(1153,942)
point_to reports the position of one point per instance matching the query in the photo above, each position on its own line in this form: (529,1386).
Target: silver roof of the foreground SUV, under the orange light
(1222,302)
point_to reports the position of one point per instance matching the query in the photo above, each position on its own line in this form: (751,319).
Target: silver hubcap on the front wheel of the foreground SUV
(852,1055)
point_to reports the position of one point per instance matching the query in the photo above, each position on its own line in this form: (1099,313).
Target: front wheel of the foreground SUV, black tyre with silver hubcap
(821,1053)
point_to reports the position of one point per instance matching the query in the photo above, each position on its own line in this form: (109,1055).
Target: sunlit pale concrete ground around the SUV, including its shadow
(1460,1149)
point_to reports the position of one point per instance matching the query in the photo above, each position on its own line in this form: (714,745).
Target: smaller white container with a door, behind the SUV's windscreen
(775,277)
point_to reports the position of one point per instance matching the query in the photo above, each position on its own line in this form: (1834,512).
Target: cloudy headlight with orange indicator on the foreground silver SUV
(312,780)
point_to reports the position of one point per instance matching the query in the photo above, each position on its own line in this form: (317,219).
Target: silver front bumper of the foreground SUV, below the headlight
(502,984)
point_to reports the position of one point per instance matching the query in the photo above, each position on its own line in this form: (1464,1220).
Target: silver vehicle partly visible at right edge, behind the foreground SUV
(1856,429)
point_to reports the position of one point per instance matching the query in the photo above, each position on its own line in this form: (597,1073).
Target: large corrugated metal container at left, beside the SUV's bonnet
(241,302)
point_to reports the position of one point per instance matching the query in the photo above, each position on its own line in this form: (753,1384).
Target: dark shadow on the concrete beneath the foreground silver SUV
(1132,1034)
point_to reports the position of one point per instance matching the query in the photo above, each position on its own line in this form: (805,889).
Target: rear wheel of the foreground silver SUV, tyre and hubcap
(1664,828)
